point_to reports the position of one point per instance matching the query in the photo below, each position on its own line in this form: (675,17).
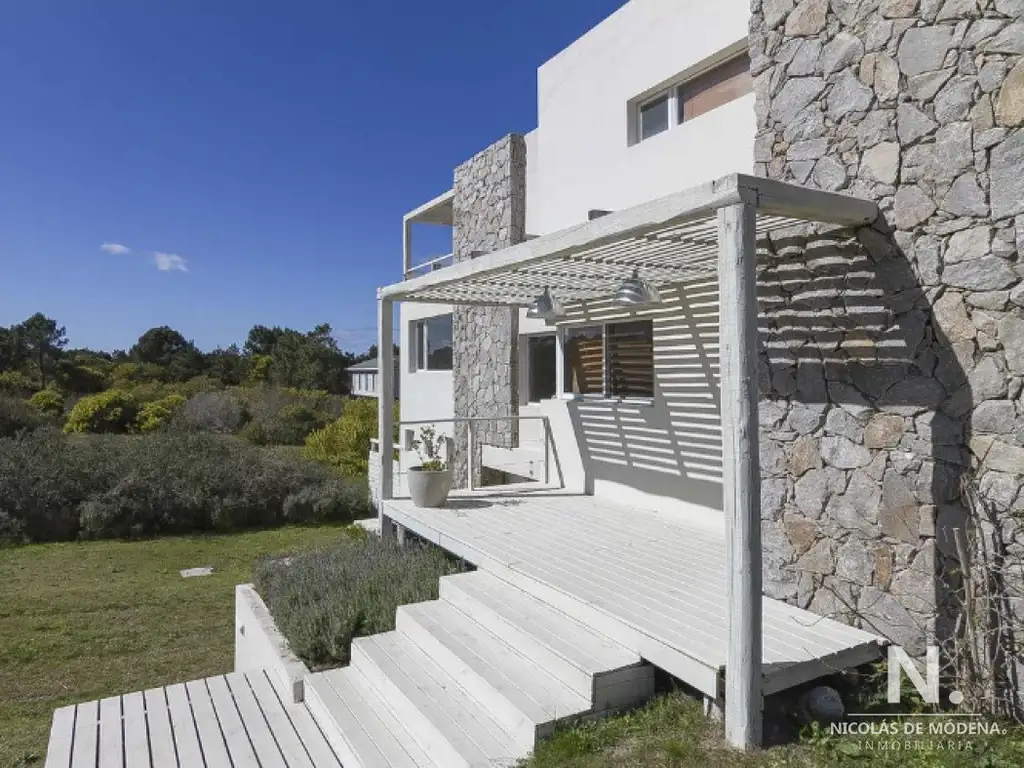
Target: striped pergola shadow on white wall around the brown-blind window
(673,446)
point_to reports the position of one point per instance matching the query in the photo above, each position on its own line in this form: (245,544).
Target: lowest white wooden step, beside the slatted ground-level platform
(358,723)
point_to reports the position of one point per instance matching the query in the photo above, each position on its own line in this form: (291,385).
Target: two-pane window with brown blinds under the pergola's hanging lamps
(615,361)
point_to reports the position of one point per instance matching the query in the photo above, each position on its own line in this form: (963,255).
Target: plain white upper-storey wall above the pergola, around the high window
(580,158)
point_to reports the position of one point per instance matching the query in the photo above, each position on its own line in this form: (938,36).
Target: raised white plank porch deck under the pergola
(652,582)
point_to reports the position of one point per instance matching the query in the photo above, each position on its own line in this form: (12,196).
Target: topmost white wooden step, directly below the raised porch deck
(589,663)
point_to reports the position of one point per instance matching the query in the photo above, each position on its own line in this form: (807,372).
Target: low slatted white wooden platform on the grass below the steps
(229,721)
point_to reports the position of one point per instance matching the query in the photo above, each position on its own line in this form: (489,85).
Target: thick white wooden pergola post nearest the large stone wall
(742,472)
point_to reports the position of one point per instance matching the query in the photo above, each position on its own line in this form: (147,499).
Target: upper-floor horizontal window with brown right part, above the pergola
(687,100)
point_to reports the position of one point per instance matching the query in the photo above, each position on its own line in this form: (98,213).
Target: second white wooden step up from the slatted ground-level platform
(444,720)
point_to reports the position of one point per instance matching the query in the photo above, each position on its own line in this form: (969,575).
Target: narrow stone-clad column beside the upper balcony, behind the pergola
(490,212)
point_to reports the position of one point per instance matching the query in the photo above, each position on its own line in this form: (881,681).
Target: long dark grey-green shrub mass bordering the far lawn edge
(56,487)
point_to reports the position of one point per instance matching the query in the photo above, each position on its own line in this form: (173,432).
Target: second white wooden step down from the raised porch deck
(519,693)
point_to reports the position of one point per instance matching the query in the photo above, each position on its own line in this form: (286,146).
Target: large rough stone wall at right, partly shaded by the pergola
(893,358)
